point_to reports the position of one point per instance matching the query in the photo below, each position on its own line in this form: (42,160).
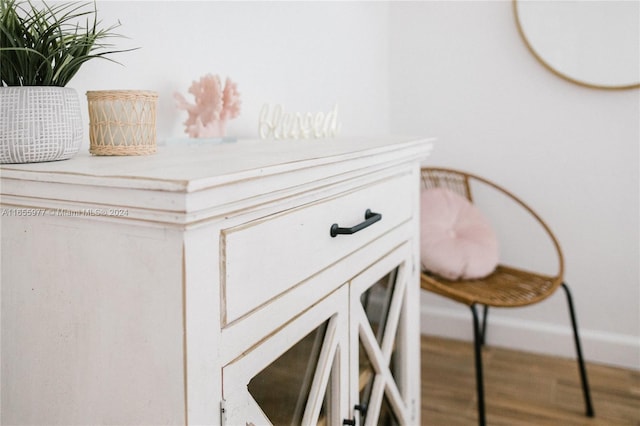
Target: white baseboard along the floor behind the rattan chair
(603,348)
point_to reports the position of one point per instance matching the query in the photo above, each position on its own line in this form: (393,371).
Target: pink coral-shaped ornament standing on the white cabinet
(213,107)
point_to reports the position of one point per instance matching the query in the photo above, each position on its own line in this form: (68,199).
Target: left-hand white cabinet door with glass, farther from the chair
(296,376)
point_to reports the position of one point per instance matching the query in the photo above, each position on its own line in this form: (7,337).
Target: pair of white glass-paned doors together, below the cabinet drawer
(344,361)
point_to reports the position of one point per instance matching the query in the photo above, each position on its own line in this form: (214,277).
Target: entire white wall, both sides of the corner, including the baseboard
(454,70)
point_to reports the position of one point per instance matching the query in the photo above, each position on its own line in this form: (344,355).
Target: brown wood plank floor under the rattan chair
(521,389)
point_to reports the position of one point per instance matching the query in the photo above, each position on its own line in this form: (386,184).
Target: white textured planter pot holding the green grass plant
(39,124)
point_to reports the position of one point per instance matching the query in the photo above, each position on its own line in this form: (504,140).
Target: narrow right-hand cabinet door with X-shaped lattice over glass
(384,365)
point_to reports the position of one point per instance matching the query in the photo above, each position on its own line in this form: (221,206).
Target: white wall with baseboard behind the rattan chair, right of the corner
(460,72)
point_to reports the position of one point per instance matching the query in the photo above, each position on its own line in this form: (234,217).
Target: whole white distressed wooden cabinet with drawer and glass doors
(202,285)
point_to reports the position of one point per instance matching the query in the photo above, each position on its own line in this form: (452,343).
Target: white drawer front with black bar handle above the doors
(264,258)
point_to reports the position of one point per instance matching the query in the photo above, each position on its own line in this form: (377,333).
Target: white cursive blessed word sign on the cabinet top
(275,123)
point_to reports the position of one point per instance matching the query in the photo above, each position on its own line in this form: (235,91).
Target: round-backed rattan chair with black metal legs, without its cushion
(505,287)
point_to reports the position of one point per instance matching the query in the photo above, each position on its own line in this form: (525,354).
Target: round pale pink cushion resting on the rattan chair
(456,241)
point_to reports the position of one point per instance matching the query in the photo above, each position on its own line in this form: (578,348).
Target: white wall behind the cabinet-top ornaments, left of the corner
(306,56)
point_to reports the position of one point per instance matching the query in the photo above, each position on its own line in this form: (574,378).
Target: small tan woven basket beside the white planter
(122,122)
